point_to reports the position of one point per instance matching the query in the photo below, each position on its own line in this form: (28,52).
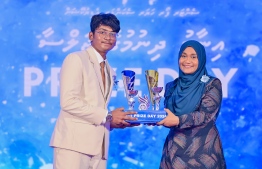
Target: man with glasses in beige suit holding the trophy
(81,134)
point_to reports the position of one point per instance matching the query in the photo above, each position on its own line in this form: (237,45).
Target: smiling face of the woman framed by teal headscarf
(188,61)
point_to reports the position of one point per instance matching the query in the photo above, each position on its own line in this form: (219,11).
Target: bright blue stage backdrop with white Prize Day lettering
(36,35)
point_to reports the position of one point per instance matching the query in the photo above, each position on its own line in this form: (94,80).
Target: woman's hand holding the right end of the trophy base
(171,120)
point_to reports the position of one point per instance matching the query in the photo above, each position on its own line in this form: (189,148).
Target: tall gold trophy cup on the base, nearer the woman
(154,90)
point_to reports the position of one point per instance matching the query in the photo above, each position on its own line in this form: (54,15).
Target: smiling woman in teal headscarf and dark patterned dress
(192,102)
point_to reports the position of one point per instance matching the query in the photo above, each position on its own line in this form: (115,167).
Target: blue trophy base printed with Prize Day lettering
(147,116)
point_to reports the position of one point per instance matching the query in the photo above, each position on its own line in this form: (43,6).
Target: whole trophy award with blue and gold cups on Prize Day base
(144,115)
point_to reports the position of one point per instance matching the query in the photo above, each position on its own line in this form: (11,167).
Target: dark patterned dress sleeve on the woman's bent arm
(208,109)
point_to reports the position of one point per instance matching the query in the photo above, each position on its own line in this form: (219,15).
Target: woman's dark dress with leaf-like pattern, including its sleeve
(195,143)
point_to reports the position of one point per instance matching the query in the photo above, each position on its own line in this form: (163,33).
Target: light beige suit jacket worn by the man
(83,105)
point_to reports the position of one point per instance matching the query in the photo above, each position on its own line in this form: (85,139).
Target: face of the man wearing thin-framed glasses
(103,39)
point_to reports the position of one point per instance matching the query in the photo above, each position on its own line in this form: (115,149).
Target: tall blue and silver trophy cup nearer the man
(128,77)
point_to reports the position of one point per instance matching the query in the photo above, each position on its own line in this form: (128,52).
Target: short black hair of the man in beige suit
(105,19)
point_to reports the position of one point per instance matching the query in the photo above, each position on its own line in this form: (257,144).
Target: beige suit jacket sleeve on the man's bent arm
(71,97)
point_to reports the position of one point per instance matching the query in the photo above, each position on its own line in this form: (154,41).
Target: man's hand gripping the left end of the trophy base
(119,117)
